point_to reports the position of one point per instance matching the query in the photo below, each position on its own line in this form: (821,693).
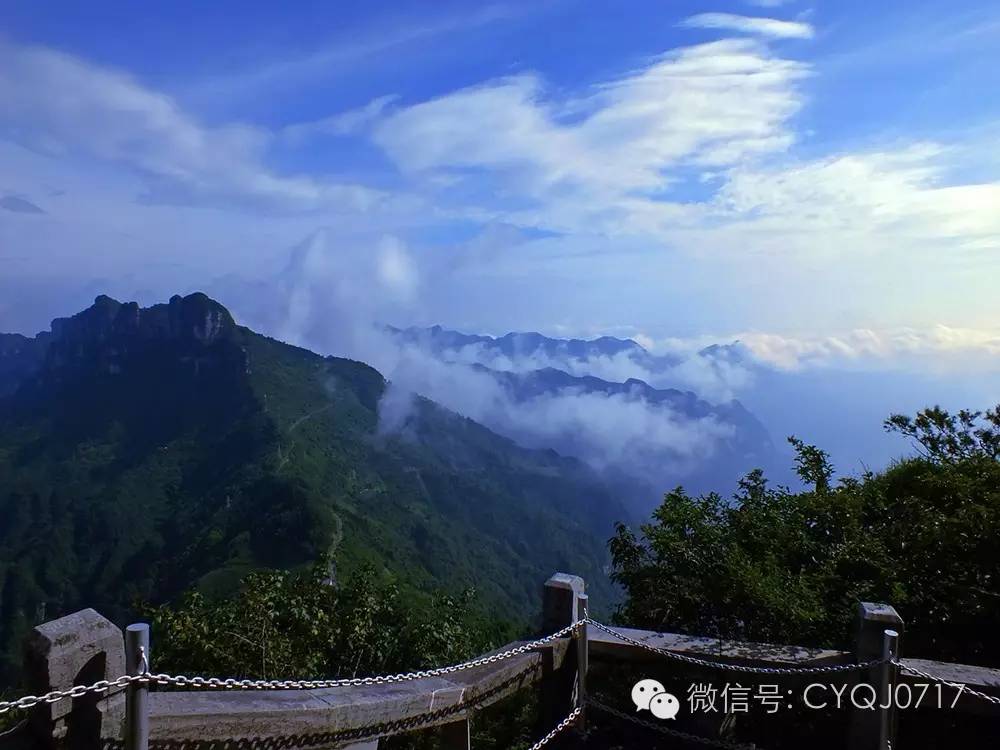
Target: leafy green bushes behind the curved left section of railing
(295,624)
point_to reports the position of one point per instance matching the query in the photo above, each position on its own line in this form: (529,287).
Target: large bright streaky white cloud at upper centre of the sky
(595,163)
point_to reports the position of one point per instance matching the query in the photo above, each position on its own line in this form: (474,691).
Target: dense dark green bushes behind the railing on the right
(779,566)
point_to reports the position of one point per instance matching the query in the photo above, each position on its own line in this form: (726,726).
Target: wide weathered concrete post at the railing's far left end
(78,649)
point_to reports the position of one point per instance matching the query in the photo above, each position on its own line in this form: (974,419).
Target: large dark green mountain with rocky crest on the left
(144,450)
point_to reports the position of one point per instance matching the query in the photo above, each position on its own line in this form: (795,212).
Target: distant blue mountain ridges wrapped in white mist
(581,398)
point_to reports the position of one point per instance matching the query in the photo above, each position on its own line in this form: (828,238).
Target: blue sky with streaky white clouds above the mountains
(820,180)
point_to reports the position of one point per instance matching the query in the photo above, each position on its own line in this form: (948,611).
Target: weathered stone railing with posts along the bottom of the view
(84,648)
